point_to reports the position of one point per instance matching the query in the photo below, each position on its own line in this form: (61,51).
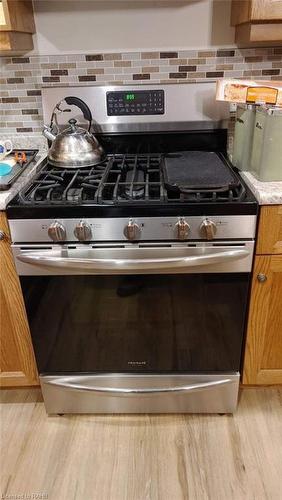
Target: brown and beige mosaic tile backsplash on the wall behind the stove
(22,78)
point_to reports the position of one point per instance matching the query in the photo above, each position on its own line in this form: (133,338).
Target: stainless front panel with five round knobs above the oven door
(124,229)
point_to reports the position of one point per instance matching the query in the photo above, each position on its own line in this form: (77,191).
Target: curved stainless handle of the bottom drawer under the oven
(128,391)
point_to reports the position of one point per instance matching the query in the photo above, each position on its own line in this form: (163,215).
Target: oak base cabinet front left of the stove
(17,363)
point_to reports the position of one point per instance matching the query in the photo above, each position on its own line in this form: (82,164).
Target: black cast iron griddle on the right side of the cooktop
(188,171)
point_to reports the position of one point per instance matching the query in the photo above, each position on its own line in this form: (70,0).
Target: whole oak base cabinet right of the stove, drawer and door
(263,355)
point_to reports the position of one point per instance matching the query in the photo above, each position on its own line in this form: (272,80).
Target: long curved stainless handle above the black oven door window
(120,264)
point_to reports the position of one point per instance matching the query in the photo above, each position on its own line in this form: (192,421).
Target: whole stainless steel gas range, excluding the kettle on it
(136,289)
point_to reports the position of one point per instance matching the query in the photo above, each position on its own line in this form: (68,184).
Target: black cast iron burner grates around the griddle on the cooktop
(120,179)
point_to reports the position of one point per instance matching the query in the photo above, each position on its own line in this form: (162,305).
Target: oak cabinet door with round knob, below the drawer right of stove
(263,356)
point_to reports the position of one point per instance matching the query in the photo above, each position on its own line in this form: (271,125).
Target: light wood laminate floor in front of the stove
(142,457)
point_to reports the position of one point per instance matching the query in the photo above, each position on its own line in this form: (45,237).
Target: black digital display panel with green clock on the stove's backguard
(135,102)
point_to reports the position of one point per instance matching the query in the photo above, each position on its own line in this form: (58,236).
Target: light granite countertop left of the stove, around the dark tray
(25,142)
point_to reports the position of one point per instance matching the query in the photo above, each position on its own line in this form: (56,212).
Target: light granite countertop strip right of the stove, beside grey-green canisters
(267,193)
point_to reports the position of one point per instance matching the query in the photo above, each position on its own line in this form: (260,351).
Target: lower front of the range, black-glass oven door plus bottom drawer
(117,318)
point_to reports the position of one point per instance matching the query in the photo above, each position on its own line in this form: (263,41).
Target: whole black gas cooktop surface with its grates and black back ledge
(130,184)
